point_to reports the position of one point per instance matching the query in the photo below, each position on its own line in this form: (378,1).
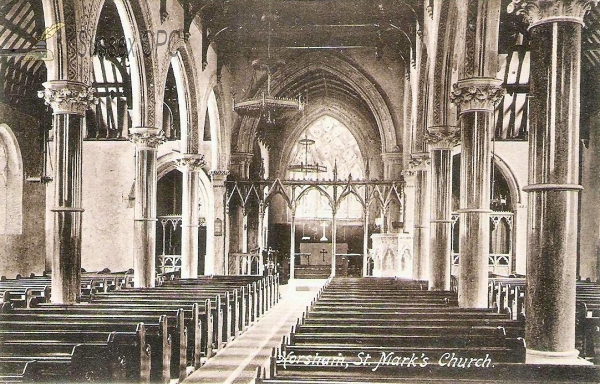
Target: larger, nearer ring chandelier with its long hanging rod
(266,105)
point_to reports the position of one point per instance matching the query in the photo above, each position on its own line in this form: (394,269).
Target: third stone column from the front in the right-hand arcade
(441,140)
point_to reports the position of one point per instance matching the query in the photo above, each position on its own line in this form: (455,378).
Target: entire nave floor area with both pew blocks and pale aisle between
(233,329)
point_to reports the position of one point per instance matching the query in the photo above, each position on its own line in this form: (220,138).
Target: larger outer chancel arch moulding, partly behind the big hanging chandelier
(347,73)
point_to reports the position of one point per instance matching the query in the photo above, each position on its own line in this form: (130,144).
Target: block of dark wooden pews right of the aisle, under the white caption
(391,330)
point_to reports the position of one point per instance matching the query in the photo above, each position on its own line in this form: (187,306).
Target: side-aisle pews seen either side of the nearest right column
(507,295)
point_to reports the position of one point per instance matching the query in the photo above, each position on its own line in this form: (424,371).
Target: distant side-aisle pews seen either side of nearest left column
(25,292)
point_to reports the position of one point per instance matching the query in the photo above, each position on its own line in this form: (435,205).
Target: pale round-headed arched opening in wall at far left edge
(11,183)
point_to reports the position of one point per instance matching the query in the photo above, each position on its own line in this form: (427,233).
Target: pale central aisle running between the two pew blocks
(237,362)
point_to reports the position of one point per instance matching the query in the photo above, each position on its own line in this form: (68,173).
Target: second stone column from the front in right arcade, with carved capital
(476,99)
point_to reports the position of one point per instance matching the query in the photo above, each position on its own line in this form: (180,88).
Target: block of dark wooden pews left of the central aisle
(132,334)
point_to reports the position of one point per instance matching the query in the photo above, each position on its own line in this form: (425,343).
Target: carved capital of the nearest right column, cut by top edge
(536,12)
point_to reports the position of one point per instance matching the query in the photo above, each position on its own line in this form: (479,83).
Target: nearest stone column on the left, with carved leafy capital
(69,101)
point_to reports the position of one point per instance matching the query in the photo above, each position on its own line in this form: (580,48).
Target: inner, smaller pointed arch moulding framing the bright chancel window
(292,136)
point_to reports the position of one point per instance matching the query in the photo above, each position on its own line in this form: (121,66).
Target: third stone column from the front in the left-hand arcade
(190,165)
